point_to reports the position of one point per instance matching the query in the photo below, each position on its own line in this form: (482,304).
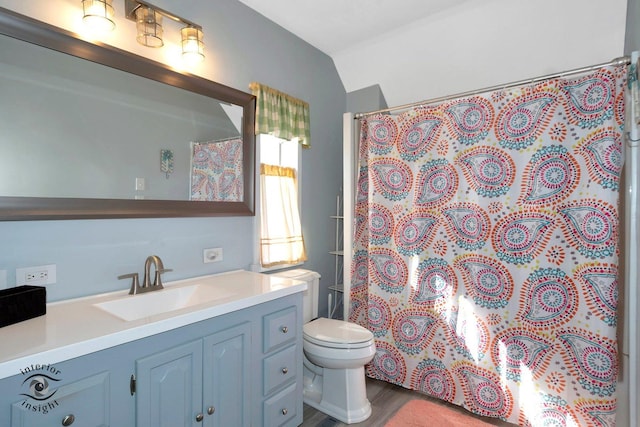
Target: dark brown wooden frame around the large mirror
(42,34)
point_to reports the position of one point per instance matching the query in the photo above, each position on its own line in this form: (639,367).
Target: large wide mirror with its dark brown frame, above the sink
(91,131)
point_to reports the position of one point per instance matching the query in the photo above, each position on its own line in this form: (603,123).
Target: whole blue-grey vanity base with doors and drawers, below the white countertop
(242,368)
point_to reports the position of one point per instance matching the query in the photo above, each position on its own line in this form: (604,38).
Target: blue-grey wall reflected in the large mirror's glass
(79,129)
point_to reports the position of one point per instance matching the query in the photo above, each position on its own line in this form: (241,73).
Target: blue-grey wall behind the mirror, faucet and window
(245,47)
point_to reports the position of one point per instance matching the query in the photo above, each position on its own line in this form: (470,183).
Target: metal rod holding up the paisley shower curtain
(623,60)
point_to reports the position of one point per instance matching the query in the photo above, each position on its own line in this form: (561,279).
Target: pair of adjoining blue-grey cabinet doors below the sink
(201,383)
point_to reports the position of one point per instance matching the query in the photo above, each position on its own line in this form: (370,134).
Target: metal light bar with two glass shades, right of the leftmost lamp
(149,28)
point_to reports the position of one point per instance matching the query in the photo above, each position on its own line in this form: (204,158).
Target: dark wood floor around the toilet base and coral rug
(385,400)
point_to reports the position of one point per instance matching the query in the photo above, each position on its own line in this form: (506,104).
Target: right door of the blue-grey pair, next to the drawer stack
(227,371)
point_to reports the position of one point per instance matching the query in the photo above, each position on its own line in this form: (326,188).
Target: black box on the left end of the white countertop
(22,303)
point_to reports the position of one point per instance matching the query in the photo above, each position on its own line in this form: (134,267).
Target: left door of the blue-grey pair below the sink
(169,387)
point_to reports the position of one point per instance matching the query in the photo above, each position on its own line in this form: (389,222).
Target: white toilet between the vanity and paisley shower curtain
(335,352)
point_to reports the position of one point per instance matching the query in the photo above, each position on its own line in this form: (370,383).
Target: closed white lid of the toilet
(336,333)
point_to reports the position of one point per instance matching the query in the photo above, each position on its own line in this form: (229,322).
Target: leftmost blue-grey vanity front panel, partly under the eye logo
(87,401)
